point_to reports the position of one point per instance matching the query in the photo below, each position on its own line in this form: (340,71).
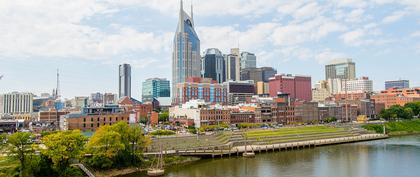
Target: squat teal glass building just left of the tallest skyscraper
(155,88)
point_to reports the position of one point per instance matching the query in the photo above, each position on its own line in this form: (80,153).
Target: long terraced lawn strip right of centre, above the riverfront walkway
(291,131)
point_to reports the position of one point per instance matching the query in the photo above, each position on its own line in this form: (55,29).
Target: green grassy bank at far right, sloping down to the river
(396,128)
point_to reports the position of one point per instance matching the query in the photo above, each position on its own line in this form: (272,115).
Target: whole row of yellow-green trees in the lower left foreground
(118,145)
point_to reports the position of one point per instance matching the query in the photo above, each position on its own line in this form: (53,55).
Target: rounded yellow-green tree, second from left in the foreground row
(62,147)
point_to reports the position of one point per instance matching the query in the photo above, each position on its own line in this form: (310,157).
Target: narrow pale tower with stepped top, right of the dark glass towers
(233,65)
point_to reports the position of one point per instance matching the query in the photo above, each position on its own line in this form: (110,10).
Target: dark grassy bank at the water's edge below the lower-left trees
(170,161)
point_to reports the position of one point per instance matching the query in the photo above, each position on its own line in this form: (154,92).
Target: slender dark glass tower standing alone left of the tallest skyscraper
(124,80)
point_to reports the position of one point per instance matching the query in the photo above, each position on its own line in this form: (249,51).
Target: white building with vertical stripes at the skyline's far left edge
(16,103)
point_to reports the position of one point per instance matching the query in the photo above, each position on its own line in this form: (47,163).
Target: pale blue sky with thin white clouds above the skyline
(87,39)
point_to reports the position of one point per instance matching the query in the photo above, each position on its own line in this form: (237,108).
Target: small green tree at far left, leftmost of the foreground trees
(20,147)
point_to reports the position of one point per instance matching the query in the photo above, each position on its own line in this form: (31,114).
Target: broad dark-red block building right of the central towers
(299,87)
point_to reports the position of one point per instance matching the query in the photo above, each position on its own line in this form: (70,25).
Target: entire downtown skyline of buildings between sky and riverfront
(212,88)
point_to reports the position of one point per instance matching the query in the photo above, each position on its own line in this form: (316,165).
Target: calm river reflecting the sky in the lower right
(393,157)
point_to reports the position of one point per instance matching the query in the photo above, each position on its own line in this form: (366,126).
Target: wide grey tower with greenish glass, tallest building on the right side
(340,68)
